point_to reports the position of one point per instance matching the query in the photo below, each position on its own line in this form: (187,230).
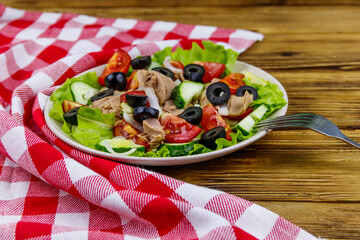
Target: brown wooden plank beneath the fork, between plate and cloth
(283,166)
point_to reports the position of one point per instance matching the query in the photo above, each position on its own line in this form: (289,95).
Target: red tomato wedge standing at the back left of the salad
(119,62)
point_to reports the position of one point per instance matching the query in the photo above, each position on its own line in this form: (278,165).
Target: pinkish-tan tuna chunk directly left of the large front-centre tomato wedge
(153,132)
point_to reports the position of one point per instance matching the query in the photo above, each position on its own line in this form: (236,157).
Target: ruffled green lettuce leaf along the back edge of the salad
(211,53)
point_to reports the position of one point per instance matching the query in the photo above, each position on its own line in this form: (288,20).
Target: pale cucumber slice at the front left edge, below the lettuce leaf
(119,145)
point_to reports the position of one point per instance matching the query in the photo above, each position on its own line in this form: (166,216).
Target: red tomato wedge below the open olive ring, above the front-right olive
(211,118)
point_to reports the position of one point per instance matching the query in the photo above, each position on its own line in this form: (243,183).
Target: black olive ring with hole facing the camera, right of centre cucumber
(218,93)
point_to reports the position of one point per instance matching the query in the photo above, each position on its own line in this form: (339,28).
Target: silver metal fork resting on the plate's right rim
(305,120)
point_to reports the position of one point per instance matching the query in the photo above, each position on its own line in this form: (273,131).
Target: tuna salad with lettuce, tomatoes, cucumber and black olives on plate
(173,103)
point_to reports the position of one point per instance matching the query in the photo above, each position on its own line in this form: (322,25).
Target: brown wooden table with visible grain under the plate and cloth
(314,51)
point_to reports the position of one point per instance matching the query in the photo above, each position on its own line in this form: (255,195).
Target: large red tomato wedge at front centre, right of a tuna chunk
(178,130)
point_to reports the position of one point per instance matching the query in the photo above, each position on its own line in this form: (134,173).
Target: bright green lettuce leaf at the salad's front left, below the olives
(93,126)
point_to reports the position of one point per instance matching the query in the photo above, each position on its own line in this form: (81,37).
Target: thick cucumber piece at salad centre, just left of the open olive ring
(186,92)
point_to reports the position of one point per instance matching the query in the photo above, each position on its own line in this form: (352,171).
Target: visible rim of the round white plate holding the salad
(55,127)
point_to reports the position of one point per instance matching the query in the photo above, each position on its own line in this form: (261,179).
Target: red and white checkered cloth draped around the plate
(48,190)
